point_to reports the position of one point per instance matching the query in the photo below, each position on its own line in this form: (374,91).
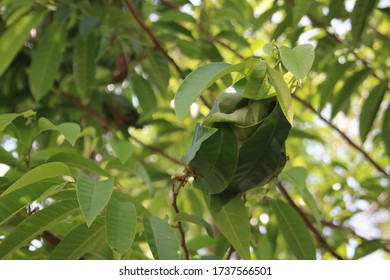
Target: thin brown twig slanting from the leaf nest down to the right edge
(342,134)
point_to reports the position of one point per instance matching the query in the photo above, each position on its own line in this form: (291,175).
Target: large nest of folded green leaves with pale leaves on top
(240,144)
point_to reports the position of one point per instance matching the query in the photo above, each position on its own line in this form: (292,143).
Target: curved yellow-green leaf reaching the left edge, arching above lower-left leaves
(42,172)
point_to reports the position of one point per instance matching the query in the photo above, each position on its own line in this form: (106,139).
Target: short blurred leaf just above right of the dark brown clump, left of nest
(144,93)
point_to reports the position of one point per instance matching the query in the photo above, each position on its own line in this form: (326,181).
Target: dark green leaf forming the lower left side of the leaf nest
(214,163)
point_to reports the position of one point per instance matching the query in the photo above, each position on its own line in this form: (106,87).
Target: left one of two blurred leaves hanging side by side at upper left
(46,60)
